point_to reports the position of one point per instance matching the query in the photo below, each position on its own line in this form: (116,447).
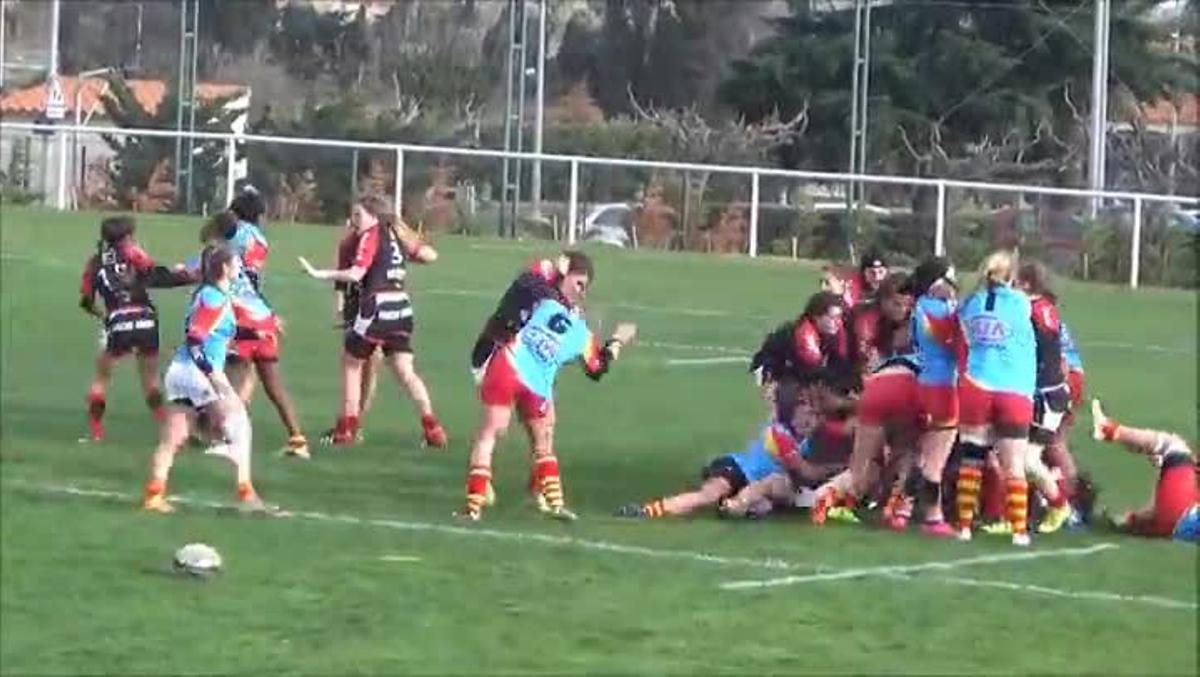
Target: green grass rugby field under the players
(374,576)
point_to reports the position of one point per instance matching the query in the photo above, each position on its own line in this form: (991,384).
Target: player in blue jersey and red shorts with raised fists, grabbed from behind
(521,375)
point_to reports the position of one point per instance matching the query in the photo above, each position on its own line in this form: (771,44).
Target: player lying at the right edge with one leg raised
(1174,512)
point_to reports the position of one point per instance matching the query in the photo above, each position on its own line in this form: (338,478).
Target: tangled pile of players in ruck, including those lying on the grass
(893,392)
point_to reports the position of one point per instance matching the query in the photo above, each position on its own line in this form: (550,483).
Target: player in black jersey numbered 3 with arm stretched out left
(385,317)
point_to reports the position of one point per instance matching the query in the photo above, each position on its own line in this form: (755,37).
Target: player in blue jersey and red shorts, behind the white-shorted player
(255,351)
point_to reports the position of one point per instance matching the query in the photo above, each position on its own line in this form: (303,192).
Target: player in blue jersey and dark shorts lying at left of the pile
(760,471)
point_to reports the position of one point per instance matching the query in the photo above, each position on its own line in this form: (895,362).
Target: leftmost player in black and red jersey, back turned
(121,273)
